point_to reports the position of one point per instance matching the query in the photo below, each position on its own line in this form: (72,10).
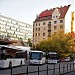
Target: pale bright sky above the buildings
(26,10)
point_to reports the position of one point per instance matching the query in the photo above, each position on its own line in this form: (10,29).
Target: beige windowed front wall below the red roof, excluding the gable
(48,30)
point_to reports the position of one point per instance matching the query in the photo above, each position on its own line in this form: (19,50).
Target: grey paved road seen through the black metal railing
(32,68)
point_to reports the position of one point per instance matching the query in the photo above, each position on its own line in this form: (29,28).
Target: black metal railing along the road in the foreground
(56,70)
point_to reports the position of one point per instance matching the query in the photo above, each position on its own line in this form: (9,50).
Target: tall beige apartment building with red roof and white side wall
(51,21)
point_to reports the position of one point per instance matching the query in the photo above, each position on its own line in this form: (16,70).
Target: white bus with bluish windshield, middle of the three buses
(37,57)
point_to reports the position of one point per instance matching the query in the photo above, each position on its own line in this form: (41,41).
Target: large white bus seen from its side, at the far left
(11,56)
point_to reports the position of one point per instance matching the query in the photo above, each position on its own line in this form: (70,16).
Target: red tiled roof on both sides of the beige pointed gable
(47,13)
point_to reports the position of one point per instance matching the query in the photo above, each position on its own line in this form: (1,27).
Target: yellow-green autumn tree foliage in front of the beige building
(60,43)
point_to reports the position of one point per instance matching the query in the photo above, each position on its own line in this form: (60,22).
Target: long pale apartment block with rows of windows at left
(15,29)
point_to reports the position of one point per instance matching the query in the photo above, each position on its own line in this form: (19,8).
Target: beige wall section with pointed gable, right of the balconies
(56,26)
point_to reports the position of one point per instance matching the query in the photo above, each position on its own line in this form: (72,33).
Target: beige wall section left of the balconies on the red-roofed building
(40,31)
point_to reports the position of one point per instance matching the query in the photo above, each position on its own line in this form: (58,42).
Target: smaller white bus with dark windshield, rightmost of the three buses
(52,57)
